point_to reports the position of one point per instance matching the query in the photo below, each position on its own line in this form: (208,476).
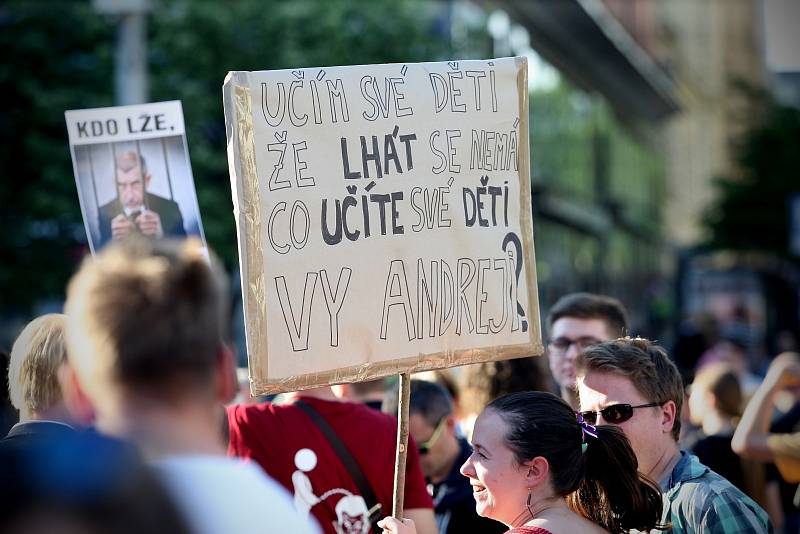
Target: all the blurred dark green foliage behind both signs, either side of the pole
(58,56)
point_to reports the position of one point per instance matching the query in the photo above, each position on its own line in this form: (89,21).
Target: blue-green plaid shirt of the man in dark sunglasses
(697,500)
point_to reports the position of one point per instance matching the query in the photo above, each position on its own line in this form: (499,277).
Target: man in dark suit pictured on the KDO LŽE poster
(135,211)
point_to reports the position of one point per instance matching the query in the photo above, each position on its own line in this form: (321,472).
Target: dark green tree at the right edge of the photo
(751,211)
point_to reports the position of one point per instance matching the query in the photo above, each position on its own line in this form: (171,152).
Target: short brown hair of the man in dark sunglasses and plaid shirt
(641,361)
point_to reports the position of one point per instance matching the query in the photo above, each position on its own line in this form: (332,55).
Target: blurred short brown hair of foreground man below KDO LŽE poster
(147,315)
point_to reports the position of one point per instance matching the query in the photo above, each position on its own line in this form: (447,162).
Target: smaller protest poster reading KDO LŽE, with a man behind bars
(133,173)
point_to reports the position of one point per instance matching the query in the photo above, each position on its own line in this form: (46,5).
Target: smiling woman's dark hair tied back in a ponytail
(593,468)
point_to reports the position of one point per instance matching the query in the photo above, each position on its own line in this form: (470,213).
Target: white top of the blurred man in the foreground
(221,495)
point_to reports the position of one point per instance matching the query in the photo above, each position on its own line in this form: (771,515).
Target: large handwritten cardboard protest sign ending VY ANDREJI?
(384,218)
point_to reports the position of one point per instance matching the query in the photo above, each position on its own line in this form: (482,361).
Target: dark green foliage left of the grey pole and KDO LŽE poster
(56,56)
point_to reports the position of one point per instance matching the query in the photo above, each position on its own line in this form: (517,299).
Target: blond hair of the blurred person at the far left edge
(38,353)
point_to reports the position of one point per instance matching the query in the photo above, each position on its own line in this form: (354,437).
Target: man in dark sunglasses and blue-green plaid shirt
(633,384)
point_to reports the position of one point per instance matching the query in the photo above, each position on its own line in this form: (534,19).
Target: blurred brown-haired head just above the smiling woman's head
(484,382)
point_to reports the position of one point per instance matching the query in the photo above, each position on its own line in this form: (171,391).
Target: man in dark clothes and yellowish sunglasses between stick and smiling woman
(442,451)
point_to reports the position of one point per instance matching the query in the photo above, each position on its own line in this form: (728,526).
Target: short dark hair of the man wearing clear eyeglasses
(591,306)
